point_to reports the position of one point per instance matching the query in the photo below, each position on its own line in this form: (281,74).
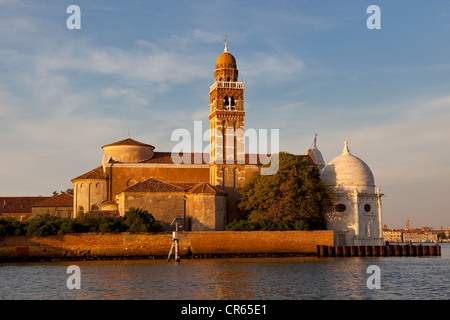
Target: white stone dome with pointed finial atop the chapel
(348,172)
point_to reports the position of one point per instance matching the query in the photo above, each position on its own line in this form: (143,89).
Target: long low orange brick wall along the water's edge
(145,245)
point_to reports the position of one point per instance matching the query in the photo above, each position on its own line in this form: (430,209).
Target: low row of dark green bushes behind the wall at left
(134,221)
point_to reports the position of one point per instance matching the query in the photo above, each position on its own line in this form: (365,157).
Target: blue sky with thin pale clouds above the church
(143,69)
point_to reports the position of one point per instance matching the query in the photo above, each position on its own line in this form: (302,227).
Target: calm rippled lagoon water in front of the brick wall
(246,278)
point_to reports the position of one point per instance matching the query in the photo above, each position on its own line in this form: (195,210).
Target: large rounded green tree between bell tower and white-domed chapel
(295,198)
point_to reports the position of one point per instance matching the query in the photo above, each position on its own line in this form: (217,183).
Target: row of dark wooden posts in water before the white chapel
(378,251)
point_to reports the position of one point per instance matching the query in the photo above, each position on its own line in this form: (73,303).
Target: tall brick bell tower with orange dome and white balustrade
(226,120)
